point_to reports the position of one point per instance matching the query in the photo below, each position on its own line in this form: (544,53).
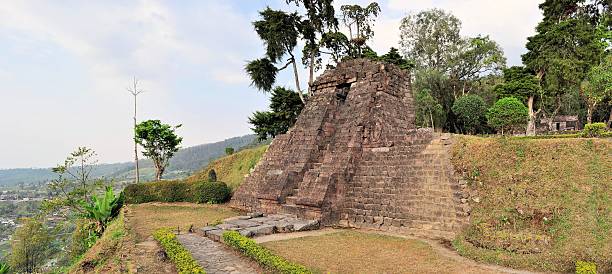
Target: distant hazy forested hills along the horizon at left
(185,162)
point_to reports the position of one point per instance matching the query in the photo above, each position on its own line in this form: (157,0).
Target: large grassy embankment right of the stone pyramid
(539,204)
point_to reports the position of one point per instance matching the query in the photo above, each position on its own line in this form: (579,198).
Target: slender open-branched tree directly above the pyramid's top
(359,21)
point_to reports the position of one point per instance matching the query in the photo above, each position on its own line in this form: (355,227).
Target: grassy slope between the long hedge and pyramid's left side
(231,169)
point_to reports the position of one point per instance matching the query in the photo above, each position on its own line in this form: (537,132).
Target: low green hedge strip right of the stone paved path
(262,255)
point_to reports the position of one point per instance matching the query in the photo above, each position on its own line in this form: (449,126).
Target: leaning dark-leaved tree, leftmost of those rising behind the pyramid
(280,32)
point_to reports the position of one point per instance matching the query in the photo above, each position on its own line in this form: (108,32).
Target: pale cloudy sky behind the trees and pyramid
(65,67)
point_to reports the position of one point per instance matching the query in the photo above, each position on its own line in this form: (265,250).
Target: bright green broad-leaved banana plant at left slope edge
(103,209)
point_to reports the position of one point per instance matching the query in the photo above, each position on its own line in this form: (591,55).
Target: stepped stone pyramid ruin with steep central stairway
(355,158)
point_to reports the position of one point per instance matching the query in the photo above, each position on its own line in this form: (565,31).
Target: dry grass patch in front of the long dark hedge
(146,218)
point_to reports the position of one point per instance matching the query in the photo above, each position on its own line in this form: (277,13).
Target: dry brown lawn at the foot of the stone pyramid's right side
(359,252)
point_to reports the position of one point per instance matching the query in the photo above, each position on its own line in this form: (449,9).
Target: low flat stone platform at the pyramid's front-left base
(258,224)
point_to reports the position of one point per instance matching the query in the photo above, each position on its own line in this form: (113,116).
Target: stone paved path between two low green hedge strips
(215,257)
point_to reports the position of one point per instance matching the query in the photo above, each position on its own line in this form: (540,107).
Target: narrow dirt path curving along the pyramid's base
(436,246)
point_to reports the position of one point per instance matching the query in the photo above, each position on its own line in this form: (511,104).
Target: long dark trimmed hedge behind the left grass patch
(177,191)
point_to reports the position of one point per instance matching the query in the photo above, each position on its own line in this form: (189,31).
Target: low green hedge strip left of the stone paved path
(181,258)
